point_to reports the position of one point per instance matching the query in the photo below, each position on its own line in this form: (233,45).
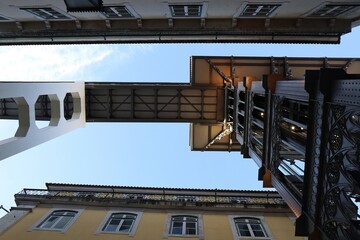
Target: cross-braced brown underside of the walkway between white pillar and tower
(139,102)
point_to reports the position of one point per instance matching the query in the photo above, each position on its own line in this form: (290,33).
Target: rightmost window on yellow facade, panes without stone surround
(249,227)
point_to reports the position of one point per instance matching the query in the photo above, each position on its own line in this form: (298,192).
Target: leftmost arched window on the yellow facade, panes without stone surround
(58,220)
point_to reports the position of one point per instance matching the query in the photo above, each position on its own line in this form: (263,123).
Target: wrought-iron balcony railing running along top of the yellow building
(113,196)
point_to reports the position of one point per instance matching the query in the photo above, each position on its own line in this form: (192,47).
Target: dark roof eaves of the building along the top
(313,31)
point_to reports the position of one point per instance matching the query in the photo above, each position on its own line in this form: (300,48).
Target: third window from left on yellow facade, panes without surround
(184,225)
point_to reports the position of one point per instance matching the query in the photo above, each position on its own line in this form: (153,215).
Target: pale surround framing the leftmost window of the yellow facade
(36,226)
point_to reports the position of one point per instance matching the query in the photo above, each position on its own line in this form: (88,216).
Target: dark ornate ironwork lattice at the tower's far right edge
(340,214)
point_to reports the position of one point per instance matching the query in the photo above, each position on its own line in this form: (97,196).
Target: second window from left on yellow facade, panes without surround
(120,222)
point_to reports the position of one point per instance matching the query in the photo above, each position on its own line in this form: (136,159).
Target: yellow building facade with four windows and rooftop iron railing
(64,211)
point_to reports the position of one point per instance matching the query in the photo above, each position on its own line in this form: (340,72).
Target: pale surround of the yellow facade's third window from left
(169,223)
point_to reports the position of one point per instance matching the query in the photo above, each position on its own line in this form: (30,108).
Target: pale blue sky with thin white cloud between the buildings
(138,154)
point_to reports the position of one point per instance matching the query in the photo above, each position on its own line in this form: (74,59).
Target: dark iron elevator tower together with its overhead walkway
(297,118)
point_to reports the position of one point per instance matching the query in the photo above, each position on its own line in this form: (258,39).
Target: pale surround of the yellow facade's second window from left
(108,216)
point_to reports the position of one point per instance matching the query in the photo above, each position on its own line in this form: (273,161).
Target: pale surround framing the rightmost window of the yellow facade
(236,235)
